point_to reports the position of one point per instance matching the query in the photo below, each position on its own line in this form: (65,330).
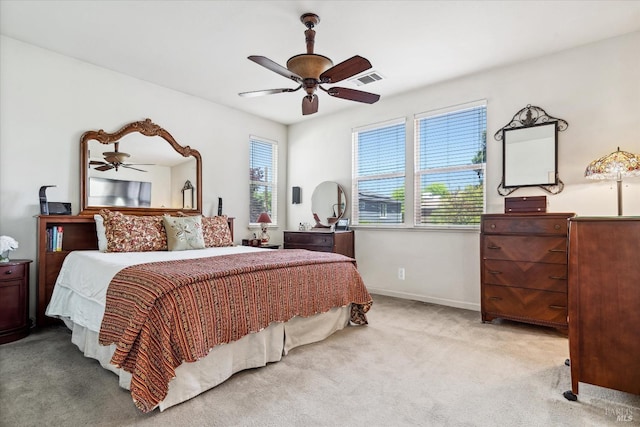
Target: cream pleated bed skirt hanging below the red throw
(251,351)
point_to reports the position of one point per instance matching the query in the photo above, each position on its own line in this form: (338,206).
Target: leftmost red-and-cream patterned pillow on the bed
(132,233)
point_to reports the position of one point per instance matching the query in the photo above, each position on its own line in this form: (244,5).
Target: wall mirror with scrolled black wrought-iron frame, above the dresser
(530,151)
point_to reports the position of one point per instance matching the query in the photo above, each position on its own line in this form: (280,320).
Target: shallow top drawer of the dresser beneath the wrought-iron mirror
(527,224)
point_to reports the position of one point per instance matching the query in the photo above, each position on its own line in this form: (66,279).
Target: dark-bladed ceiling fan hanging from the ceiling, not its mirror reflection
(311,70)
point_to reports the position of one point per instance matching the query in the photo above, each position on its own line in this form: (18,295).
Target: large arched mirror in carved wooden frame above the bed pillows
(139,169)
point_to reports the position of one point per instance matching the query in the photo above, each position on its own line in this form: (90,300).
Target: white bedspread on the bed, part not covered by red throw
(80,291)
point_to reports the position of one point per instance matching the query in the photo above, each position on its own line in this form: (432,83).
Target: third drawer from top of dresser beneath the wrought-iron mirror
(542,276)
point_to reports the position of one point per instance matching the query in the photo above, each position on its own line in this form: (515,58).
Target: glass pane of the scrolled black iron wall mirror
(530,156)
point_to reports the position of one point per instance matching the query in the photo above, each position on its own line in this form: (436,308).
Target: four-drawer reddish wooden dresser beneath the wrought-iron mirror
(524,268)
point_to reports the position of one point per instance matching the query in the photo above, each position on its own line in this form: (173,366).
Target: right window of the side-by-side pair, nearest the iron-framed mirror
(450,158)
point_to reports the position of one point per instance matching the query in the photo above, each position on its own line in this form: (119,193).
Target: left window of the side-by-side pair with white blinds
(379,174)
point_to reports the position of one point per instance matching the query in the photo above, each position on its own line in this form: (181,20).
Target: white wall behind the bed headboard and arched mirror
(48,100)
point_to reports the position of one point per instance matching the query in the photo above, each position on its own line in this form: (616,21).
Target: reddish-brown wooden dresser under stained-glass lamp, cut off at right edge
(604,303)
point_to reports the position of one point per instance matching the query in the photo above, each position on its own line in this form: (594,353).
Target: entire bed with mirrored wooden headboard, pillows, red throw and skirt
(161,297)
